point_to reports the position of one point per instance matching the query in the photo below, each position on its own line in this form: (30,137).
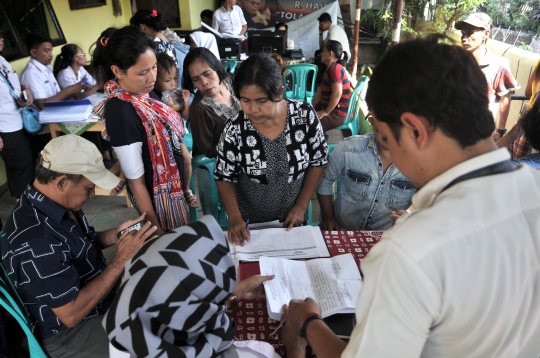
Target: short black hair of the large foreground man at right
(440,82)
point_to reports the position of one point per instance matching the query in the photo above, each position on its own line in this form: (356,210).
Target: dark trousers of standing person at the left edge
(19,160)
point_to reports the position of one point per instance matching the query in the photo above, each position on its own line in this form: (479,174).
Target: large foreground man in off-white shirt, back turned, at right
(460,276)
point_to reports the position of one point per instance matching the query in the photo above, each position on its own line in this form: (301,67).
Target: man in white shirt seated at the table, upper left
(38,75)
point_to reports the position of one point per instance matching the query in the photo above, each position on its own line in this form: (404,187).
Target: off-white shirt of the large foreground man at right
(459,277)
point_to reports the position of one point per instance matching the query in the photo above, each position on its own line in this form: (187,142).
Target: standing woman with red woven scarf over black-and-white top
(144,132)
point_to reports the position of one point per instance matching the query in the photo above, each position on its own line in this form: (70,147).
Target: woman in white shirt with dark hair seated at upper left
(69,69)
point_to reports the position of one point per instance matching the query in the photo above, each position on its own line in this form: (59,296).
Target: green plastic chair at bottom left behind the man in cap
(12,303)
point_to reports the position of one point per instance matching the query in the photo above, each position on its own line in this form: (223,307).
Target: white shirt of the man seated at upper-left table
(40,80)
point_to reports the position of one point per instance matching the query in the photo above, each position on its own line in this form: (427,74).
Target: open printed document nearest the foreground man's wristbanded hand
(334,283)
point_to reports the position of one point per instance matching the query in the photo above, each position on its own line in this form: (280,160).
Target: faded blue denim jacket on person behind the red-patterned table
(366,196)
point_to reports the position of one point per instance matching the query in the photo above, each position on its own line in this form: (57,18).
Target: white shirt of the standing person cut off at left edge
(10,116)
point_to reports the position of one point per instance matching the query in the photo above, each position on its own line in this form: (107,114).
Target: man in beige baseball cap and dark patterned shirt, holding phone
(53,256)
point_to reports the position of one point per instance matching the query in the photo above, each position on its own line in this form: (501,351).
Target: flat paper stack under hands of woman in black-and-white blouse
(301,242)
